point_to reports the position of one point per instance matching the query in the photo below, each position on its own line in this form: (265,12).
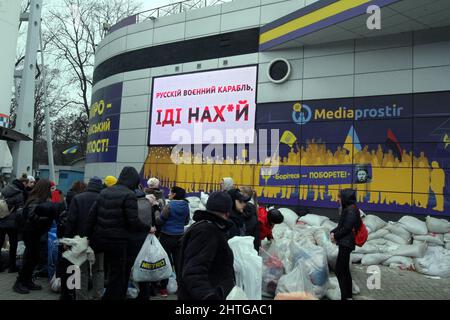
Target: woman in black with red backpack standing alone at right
(350,220)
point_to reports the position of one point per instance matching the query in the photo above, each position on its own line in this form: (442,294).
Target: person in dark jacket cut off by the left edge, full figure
(15,196)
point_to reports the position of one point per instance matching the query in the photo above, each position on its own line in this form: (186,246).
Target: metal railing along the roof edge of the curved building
(177,7)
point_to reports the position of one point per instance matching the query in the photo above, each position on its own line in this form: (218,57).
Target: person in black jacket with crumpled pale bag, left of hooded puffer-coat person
(77,217)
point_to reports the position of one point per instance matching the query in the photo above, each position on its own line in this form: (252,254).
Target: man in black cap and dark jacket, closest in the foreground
(206,261)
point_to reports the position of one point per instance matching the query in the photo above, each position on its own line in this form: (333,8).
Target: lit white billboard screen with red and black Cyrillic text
(219,102)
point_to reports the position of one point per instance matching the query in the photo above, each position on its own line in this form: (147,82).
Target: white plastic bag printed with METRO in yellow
(152,263)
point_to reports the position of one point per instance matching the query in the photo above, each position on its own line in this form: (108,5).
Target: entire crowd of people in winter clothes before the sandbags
(117,215)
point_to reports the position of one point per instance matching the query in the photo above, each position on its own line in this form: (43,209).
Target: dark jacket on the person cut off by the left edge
(15,196)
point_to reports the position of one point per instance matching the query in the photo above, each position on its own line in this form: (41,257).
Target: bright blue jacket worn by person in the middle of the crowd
(174,217)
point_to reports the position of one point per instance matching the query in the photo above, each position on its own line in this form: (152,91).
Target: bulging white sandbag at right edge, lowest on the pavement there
(436,262)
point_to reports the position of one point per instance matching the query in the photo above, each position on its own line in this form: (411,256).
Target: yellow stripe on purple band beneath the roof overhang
(310,18)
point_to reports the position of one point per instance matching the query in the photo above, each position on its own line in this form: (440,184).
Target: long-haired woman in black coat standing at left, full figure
(38,215)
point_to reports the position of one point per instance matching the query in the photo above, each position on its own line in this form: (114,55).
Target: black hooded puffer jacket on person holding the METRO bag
(114,216)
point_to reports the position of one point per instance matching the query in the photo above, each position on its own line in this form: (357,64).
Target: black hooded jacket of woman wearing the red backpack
(349,220)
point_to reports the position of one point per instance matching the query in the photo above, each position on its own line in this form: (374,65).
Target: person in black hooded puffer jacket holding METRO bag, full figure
(111,220)
